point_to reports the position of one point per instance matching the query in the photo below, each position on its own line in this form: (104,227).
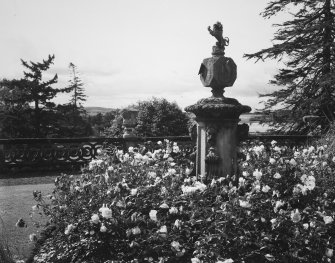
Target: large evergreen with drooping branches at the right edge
(306,46)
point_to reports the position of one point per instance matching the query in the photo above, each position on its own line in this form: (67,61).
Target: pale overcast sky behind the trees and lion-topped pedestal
(130,50)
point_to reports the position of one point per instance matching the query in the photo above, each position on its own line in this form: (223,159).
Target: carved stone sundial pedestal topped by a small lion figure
(217,116)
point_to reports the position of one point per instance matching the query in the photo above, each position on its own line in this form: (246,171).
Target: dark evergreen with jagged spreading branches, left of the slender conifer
(40,93)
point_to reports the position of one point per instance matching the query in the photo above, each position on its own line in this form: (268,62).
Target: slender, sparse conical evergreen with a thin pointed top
(76,85)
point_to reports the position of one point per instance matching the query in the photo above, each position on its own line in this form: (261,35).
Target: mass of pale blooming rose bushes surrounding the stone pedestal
(144,206)
